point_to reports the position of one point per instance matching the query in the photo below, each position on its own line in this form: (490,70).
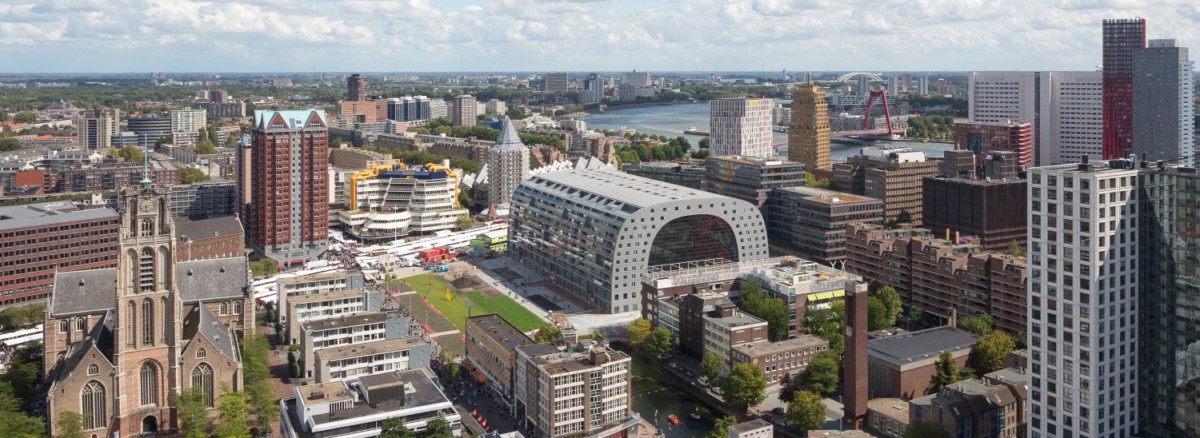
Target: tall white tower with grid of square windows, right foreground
(1083,304)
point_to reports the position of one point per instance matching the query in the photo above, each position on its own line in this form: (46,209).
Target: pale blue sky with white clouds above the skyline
(569,35)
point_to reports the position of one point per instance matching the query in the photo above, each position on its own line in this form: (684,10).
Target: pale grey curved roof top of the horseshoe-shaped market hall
(633,190)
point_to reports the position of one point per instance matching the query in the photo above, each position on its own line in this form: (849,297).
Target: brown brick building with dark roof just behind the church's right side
(209,238)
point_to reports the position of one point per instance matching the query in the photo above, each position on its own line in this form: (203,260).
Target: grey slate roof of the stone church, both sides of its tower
(94,291)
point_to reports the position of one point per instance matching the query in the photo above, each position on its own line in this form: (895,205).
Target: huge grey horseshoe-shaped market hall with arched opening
(632,224)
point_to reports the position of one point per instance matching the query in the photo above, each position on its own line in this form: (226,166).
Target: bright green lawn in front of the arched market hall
(434,289)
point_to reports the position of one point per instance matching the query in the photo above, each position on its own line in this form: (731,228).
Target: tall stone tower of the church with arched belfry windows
(147,338)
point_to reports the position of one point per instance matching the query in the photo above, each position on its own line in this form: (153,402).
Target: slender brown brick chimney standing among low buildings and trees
(855,375)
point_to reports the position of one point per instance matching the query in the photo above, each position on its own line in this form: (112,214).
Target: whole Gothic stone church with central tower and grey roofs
(122,343)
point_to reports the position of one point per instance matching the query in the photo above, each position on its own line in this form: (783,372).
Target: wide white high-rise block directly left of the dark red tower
(1066,110)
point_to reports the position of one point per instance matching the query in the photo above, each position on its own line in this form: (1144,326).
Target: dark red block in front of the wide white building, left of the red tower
(985,139)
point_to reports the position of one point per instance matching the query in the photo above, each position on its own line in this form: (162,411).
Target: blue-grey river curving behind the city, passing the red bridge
(673,121)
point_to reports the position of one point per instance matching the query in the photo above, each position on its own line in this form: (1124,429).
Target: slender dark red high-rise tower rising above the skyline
(1121,37)
